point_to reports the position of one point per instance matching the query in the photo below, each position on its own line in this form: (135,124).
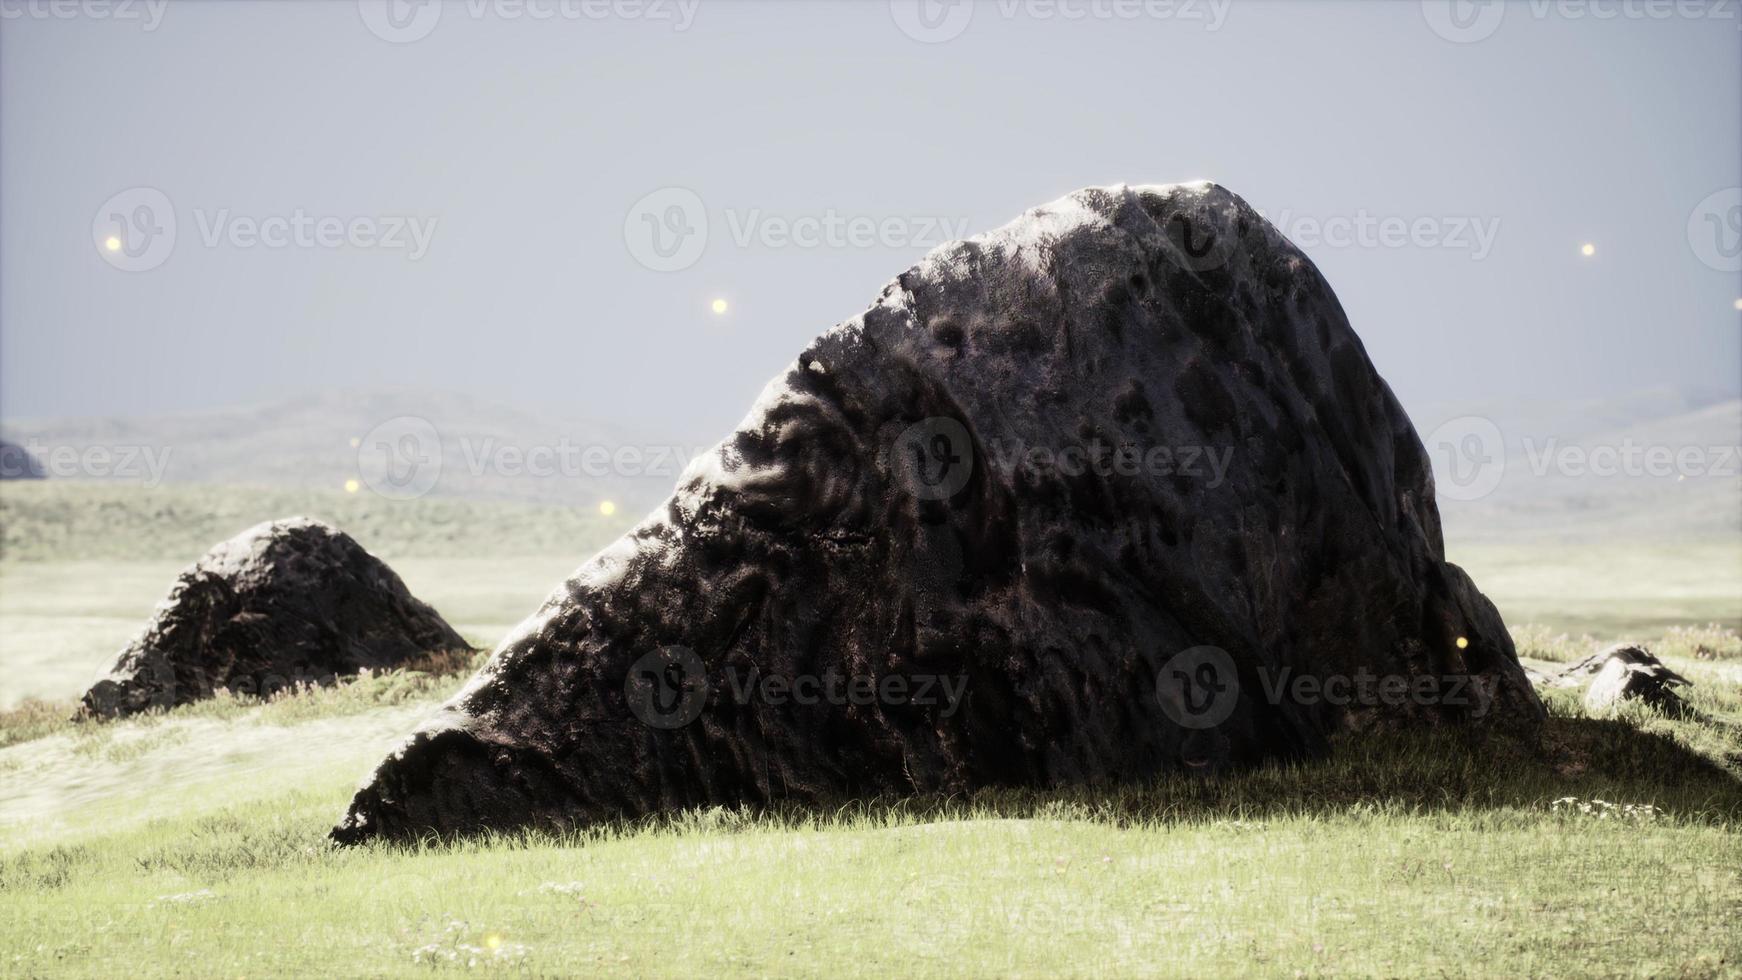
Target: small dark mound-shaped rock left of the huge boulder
(285,603)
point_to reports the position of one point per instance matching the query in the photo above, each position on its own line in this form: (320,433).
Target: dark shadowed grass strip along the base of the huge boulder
(1462,774)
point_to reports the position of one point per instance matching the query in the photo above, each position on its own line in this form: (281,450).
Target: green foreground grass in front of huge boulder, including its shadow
(1415,854)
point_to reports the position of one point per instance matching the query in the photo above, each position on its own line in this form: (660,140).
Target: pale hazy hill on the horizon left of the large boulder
(402,443)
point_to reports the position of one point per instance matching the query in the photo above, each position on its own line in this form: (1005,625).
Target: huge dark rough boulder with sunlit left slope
(926,499)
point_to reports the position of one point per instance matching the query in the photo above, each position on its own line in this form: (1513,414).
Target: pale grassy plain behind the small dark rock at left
(84,563)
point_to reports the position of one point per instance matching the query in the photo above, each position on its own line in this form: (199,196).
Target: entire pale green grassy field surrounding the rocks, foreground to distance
(192,843)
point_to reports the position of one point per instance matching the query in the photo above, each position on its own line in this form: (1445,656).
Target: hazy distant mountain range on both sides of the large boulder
(1651,464)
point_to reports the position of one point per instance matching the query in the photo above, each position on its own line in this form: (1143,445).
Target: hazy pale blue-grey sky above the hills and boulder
(1443,168)
